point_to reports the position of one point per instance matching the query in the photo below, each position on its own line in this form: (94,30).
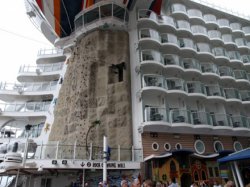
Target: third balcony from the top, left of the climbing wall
(8,91)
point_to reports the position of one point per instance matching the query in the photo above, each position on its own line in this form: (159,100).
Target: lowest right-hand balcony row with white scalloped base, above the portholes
(158,119)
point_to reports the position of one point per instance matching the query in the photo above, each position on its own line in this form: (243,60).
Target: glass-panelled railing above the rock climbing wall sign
(75,151)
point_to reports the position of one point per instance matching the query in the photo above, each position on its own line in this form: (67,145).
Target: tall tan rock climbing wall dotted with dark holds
(96,87)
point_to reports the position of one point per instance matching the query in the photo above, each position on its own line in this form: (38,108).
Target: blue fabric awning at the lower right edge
(240,155)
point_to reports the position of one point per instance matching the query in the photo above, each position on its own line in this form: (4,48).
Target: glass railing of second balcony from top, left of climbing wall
(41,68)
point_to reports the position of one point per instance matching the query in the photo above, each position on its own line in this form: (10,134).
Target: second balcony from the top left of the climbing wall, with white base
(45,72)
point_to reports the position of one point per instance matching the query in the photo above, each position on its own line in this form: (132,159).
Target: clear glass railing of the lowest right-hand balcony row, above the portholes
(193,117)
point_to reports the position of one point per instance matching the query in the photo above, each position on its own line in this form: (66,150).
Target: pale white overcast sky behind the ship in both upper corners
(22,49)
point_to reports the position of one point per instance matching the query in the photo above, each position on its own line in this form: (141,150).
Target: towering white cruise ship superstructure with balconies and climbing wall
(167,81)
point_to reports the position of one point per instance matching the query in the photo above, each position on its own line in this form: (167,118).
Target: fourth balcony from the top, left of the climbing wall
(24,109)
